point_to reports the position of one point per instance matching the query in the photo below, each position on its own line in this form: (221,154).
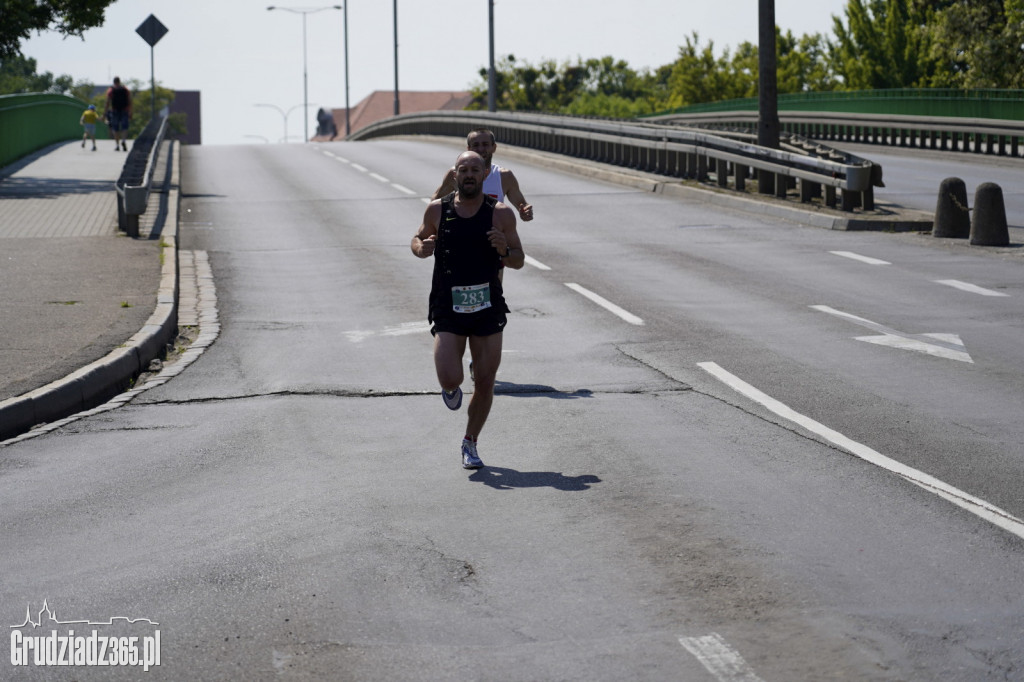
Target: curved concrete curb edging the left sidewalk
(100,381)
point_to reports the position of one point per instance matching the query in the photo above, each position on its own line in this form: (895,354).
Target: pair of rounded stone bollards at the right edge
(953,217)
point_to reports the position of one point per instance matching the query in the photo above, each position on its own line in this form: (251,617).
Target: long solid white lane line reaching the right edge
(976,506)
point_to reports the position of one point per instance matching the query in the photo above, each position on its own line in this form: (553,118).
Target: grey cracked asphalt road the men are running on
(292,506)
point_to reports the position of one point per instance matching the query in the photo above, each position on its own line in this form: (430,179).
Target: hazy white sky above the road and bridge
(240,55)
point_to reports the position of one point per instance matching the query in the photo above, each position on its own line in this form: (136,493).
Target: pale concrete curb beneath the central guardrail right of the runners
(894,219)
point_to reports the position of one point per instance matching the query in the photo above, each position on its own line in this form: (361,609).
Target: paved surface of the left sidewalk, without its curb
(73,288)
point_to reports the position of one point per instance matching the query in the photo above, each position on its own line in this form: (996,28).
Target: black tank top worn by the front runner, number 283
(464,258)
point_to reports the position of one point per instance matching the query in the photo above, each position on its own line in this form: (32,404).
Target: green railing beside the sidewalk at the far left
(30,122)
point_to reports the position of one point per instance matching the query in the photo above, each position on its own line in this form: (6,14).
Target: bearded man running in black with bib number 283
(470,235)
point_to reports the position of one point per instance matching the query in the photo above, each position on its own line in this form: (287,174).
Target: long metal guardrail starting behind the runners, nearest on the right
(664,150)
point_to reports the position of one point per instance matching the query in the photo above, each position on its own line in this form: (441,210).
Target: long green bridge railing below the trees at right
(1005,105)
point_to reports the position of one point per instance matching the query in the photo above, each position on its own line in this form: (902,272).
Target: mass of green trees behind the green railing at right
(877,45)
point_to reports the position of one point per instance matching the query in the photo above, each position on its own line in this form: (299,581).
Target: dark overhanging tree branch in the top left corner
(71,18)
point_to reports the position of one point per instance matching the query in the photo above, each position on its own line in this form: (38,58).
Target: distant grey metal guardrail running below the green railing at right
(995,137)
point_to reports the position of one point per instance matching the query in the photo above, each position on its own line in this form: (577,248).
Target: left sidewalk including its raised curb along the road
(76,292)
